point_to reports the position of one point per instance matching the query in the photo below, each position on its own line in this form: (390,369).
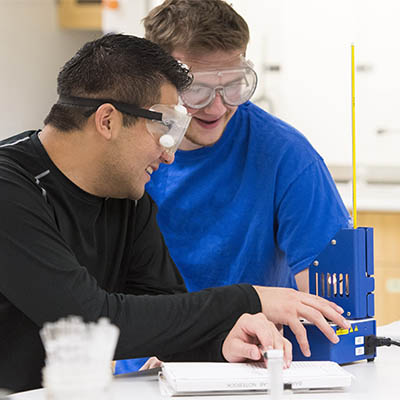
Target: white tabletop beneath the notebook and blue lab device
(372,380)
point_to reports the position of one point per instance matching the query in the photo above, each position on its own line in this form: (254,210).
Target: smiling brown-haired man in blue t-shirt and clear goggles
(247,199)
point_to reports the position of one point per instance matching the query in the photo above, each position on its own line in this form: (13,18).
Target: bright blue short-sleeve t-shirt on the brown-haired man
(256,207)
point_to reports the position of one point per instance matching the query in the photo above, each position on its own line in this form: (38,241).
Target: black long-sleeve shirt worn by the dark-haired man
(66,252)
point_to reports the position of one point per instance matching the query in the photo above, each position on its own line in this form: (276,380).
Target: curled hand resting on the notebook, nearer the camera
(251,336)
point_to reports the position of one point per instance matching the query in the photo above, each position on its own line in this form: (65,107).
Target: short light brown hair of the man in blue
(196,26)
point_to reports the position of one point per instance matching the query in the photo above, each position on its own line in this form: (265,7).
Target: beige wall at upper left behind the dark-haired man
(32,50)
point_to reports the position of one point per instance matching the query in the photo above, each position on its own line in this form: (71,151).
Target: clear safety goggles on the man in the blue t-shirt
(236,85)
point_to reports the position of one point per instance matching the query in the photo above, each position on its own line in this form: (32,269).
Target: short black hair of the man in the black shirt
(120,67)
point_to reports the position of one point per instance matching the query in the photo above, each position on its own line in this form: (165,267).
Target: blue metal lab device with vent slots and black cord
(343,273)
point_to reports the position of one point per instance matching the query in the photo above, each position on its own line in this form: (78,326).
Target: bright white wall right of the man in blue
(310,40)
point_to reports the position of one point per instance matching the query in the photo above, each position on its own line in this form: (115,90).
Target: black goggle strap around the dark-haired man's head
(120,106)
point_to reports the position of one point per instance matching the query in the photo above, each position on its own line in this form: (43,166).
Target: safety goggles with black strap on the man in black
(166,123)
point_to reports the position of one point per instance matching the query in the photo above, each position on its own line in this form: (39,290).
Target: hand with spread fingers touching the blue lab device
(286,306)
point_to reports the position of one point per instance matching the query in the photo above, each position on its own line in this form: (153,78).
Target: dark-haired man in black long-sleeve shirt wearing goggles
(78,234)
